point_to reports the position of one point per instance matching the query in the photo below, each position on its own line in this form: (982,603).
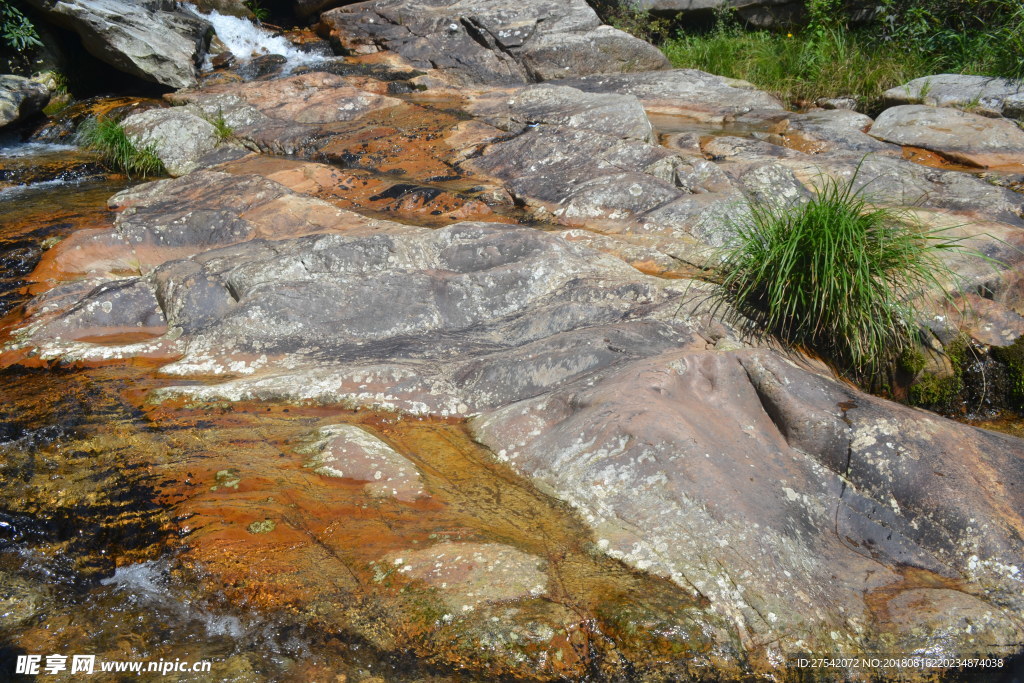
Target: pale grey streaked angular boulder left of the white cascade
(155,40)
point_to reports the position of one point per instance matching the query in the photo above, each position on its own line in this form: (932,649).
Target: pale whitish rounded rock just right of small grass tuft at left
(178,137)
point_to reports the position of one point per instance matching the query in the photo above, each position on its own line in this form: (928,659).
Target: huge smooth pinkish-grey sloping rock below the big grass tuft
(843,491)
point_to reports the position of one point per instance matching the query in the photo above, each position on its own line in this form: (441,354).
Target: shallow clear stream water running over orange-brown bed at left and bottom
(152,533)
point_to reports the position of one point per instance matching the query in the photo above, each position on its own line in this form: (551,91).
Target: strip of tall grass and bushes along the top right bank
(830,58)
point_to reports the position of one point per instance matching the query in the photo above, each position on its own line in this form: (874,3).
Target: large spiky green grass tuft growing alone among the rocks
(836,276)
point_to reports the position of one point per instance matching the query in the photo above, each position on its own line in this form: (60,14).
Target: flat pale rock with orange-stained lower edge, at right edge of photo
(964,138)
